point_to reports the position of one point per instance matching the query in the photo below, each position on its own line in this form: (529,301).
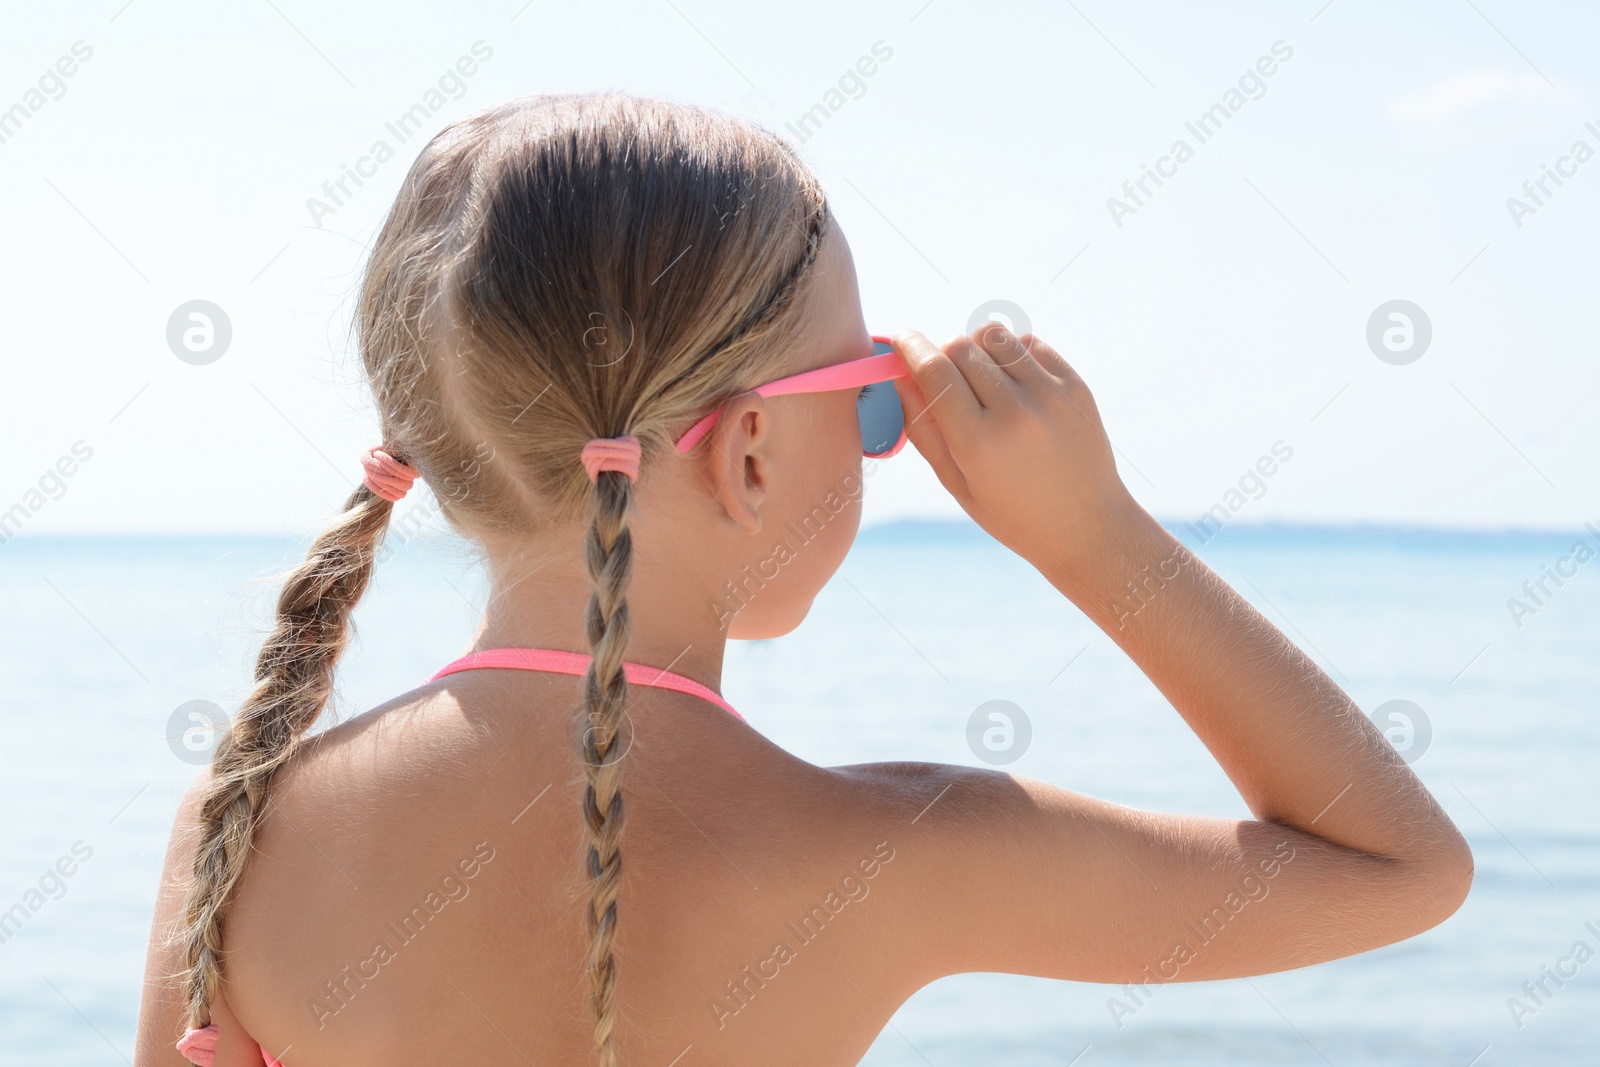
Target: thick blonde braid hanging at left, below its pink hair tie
(294,682)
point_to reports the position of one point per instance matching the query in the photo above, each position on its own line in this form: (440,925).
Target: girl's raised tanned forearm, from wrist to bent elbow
(1294,743)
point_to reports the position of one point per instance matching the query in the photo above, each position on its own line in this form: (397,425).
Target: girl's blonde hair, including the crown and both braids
(554,270)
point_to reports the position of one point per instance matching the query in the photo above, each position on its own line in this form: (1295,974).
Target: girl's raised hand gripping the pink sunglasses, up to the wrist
(1014,434)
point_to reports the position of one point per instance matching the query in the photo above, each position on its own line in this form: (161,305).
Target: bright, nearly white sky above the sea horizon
(1358,154)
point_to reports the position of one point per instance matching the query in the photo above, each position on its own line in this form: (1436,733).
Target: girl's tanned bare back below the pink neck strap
(417,892)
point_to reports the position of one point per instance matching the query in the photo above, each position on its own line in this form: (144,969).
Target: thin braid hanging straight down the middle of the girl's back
(609,553)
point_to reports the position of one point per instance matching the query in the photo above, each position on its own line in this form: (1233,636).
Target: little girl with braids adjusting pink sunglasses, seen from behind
(622,343)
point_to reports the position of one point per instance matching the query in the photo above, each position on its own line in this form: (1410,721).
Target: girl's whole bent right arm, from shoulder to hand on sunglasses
(1348,850)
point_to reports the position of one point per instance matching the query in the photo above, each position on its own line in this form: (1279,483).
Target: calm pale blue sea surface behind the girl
(102,641)
